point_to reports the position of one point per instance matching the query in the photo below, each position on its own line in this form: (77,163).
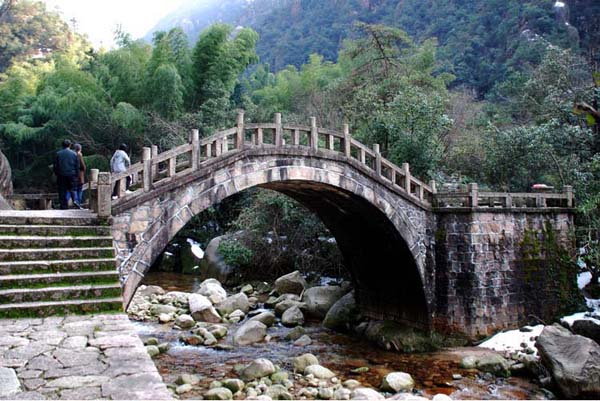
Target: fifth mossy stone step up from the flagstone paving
(35,254)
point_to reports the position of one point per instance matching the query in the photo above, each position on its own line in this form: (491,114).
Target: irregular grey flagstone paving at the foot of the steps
(76,358)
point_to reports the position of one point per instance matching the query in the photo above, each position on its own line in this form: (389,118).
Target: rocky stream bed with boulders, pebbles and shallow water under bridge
(205,344)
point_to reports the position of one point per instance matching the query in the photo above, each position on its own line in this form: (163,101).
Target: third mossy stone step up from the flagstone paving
(57,279)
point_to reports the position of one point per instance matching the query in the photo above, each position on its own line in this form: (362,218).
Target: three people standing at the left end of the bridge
(70,168)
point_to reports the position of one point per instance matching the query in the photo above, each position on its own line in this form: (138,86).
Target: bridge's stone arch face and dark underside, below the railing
(380,234)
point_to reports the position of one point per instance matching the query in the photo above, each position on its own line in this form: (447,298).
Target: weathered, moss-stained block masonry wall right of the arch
(497,270)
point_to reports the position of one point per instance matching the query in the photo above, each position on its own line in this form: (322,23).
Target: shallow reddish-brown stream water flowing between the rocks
(339,352)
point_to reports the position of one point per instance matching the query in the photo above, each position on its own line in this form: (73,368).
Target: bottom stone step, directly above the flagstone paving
(55,308)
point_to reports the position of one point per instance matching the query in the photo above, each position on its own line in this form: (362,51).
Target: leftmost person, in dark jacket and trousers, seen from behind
(66,168)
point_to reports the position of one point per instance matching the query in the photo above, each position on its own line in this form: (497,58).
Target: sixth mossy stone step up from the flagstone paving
(34,241)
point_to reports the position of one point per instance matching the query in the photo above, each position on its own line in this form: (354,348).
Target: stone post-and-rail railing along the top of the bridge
(157,169)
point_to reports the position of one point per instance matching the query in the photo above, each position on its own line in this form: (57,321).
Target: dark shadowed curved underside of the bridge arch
(386,277)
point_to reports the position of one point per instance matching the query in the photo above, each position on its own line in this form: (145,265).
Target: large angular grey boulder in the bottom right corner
(573,361)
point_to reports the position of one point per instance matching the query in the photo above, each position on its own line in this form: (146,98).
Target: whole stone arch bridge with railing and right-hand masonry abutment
(471,262)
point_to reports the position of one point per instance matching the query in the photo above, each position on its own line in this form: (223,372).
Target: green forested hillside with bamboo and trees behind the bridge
(504,93)
